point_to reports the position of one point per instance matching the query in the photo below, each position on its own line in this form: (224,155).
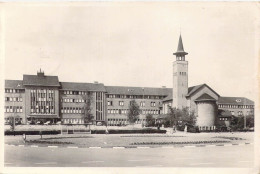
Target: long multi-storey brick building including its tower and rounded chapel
(45,98)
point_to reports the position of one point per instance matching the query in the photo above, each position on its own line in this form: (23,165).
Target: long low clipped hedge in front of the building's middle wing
(139,131)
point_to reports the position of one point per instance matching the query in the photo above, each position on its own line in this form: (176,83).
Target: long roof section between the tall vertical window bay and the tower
(124,90)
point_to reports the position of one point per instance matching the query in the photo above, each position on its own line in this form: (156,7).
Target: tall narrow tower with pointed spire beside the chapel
(180,77)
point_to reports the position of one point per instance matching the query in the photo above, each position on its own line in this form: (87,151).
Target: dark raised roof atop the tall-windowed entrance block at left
(35,80)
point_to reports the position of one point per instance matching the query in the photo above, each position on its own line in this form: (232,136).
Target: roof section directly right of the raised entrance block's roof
(82,86)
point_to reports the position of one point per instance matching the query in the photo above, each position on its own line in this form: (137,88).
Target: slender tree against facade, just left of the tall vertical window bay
(86,110)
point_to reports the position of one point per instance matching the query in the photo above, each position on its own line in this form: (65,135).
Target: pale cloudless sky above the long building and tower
(132,44)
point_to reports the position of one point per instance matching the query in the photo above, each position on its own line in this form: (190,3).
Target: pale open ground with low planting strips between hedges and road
(132,140)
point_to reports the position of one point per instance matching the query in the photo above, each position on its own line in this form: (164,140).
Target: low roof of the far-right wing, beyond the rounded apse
(235,101)
